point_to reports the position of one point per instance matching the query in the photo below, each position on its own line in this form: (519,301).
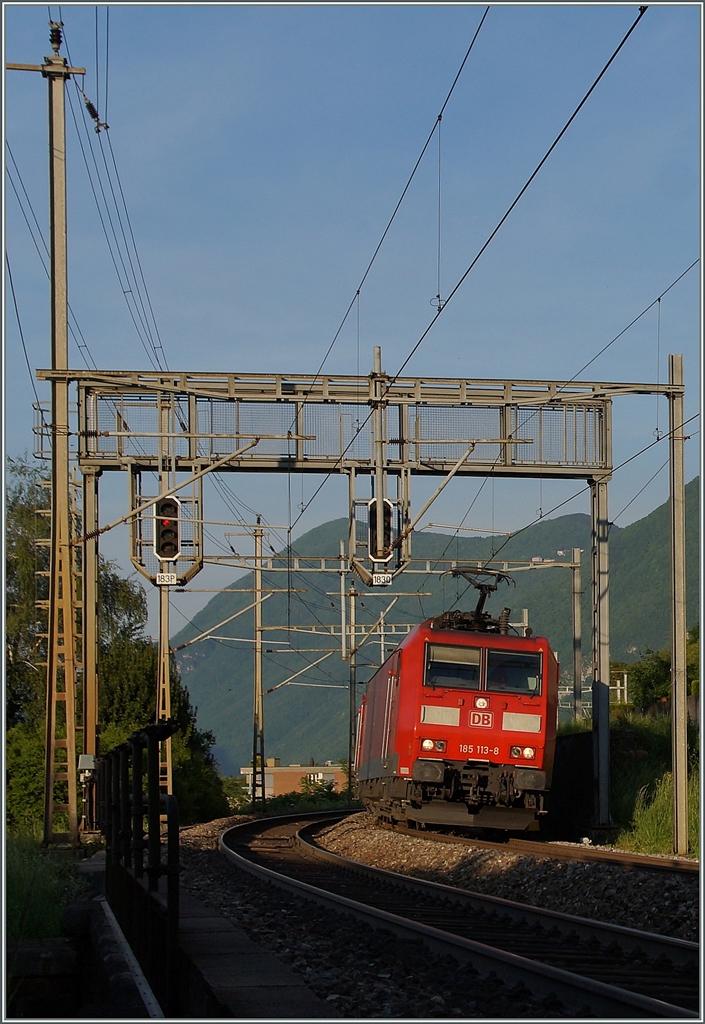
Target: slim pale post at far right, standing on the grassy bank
(679,634)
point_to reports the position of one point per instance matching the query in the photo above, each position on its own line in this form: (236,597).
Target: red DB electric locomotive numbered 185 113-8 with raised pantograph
(459,727)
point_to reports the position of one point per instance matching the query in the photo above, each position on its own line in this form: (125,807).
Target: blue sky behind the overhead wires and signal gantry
(262,150)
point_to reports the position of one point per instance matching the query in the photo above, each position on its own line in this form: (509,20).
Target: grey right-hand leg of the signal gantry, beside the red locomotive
(601,652)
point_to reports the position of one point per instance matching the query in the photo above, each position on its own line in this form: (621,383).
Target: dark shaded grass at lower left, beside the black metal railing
(38,886)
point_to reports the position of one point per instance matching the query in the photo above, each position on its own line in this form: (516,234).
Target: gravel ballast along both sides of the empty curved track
(369,974)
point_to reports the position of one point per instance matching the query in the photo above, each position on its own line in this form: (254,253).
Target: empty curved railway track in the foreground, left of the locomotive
(592,968)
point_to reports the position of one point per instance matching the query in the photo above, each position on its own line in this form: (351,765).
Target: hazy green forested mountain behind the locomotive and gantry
(303,722)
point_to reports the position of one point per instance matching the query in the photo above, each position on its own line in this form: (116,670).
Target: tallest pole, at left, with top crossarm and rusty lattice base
(61,796)
